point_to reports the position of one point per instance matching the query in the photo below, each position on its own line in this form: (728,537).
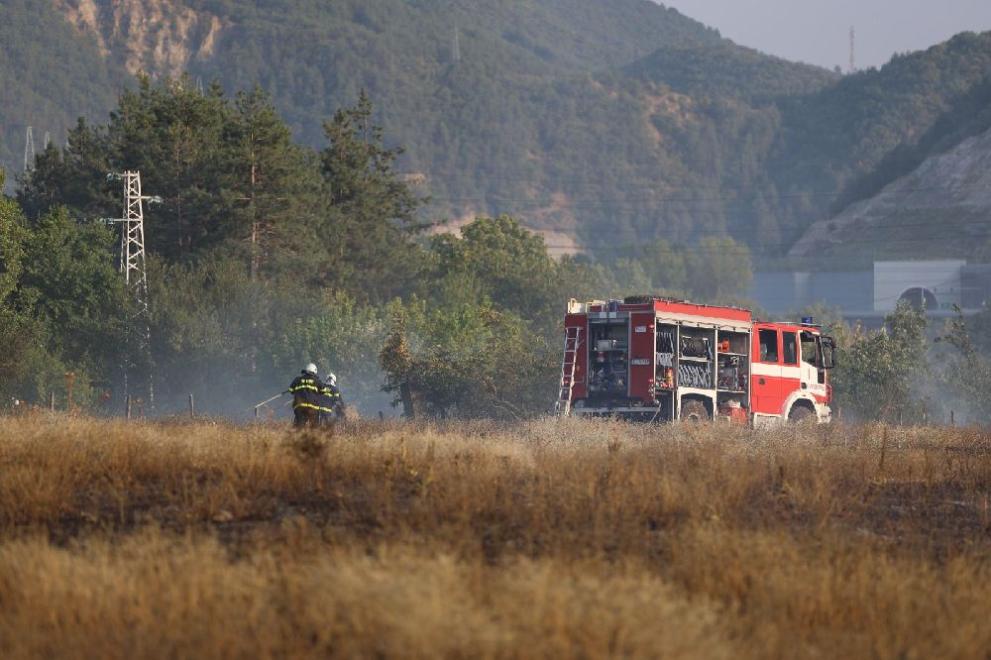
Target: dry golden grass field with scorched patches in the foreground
(542,539)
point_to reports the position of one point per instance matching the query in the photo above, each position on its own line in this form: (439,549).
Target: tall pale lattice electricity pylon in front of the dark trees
(132,267)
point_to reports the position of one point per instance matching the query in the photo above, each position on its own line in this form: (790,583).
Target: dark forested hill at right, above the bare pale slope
(847,141)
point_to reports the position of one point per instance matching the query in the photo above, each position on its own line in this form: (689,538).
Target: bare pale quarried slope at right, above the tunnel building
(939,209)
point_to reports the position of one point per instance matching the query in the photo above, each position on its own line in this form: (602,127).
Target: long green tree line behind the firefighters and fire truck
(264,254)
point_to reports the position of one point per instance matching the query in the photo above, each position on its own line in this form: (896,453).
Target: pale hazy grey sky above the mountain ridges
(818,31)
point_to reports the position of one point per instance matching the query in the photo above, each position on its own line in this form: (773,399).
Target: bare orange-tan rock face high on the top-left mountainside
(159,37)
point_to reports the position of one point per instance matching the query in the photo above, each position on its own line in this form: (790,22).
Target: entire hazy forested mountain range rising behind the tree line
(605,123)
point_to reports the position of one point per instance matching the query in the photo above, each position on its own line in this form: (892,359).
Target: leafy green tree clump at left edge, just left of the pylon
(61,302)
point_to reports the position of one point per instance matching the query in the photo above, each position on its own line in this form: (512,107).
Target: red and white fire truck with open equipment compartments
(659,359)
